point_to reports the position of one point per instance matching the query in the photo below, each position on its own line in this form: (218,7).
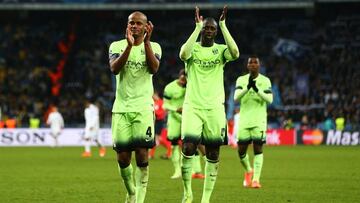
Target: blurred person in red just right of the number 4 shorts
(160,130)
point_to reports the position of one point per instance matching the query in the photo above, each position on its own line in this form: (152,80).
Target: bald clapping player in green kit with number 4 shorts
(134,60)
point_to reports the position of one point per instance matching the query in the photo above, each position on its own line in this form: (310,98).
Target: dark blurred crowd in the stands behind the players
(312,59)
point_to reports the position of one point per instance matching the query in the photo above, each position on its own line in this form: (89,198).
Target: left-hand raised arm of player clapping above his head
(186,49)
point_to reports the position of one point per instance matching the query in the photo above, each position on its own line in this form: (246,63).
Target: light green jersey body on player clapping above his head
(205,77)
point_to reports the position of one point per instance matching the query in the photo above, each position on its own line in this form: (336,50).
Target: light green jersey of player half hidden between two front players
(174,95)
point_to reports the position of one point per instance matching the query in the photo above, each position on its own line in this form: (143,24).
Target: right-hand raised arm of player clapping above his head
(232,51)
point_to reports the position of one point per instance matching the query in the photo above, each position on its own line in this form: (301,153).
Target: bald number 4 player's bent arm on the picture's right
(152,60)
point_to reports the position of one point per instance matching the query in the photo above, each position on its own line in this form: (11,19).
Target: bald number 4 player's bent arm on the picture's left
(117,61)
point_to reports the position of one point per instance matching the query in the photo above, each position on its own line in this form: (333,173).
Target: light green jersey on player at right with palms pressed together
(253,109)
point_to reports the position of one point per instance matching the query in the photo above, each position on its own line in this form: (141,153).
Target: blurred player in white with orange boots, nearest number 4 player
(92,126)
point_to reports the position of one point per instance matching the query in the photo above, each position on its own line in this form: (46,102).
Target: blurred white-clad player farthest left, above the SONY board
(56,123)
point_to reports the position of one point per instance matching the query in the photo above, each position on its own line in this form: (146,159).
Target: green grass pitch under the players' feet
(290,174)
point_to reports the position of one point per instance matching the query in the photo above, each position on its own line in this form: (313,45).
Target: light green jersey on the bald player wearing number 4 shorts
(134,87)
